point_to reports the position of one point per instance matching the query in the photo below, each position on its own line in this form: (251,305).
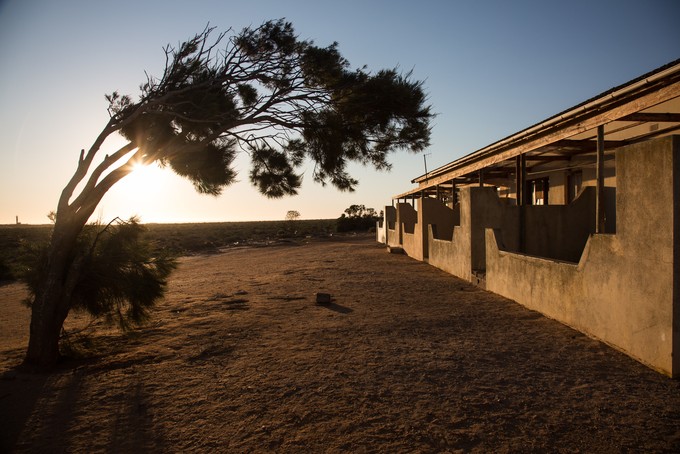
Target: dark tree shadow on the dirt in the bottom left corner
(37,409)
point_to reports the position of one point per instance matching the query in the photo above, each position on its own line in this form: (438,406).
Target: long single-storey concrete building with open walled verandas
(575,217)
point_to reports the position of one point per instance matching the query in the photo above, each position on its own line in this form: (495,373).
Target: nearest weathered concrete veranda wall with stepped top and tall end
(624,289)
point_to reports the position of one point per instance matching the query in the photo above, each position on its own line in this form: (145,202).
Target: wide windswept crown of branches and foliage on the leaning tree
(281,99)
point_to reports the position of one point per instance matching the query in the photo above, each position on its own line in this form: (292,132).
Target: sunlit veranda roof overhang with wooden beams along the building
(645,108)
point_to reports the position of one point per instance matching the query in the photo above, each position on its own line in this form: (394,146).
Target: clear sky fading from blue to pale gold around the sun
(491,68)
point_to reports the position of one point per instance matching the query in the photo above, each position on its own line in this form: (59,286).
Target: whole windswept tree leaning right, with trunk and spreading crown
(262,91)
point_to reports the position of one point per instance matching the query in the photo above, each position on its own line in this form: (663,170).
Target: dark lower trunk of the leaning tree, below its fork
(52,299)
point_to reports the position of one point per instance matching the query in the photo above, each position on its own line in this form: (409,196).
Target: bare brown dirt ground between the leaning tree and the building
(406,358)
